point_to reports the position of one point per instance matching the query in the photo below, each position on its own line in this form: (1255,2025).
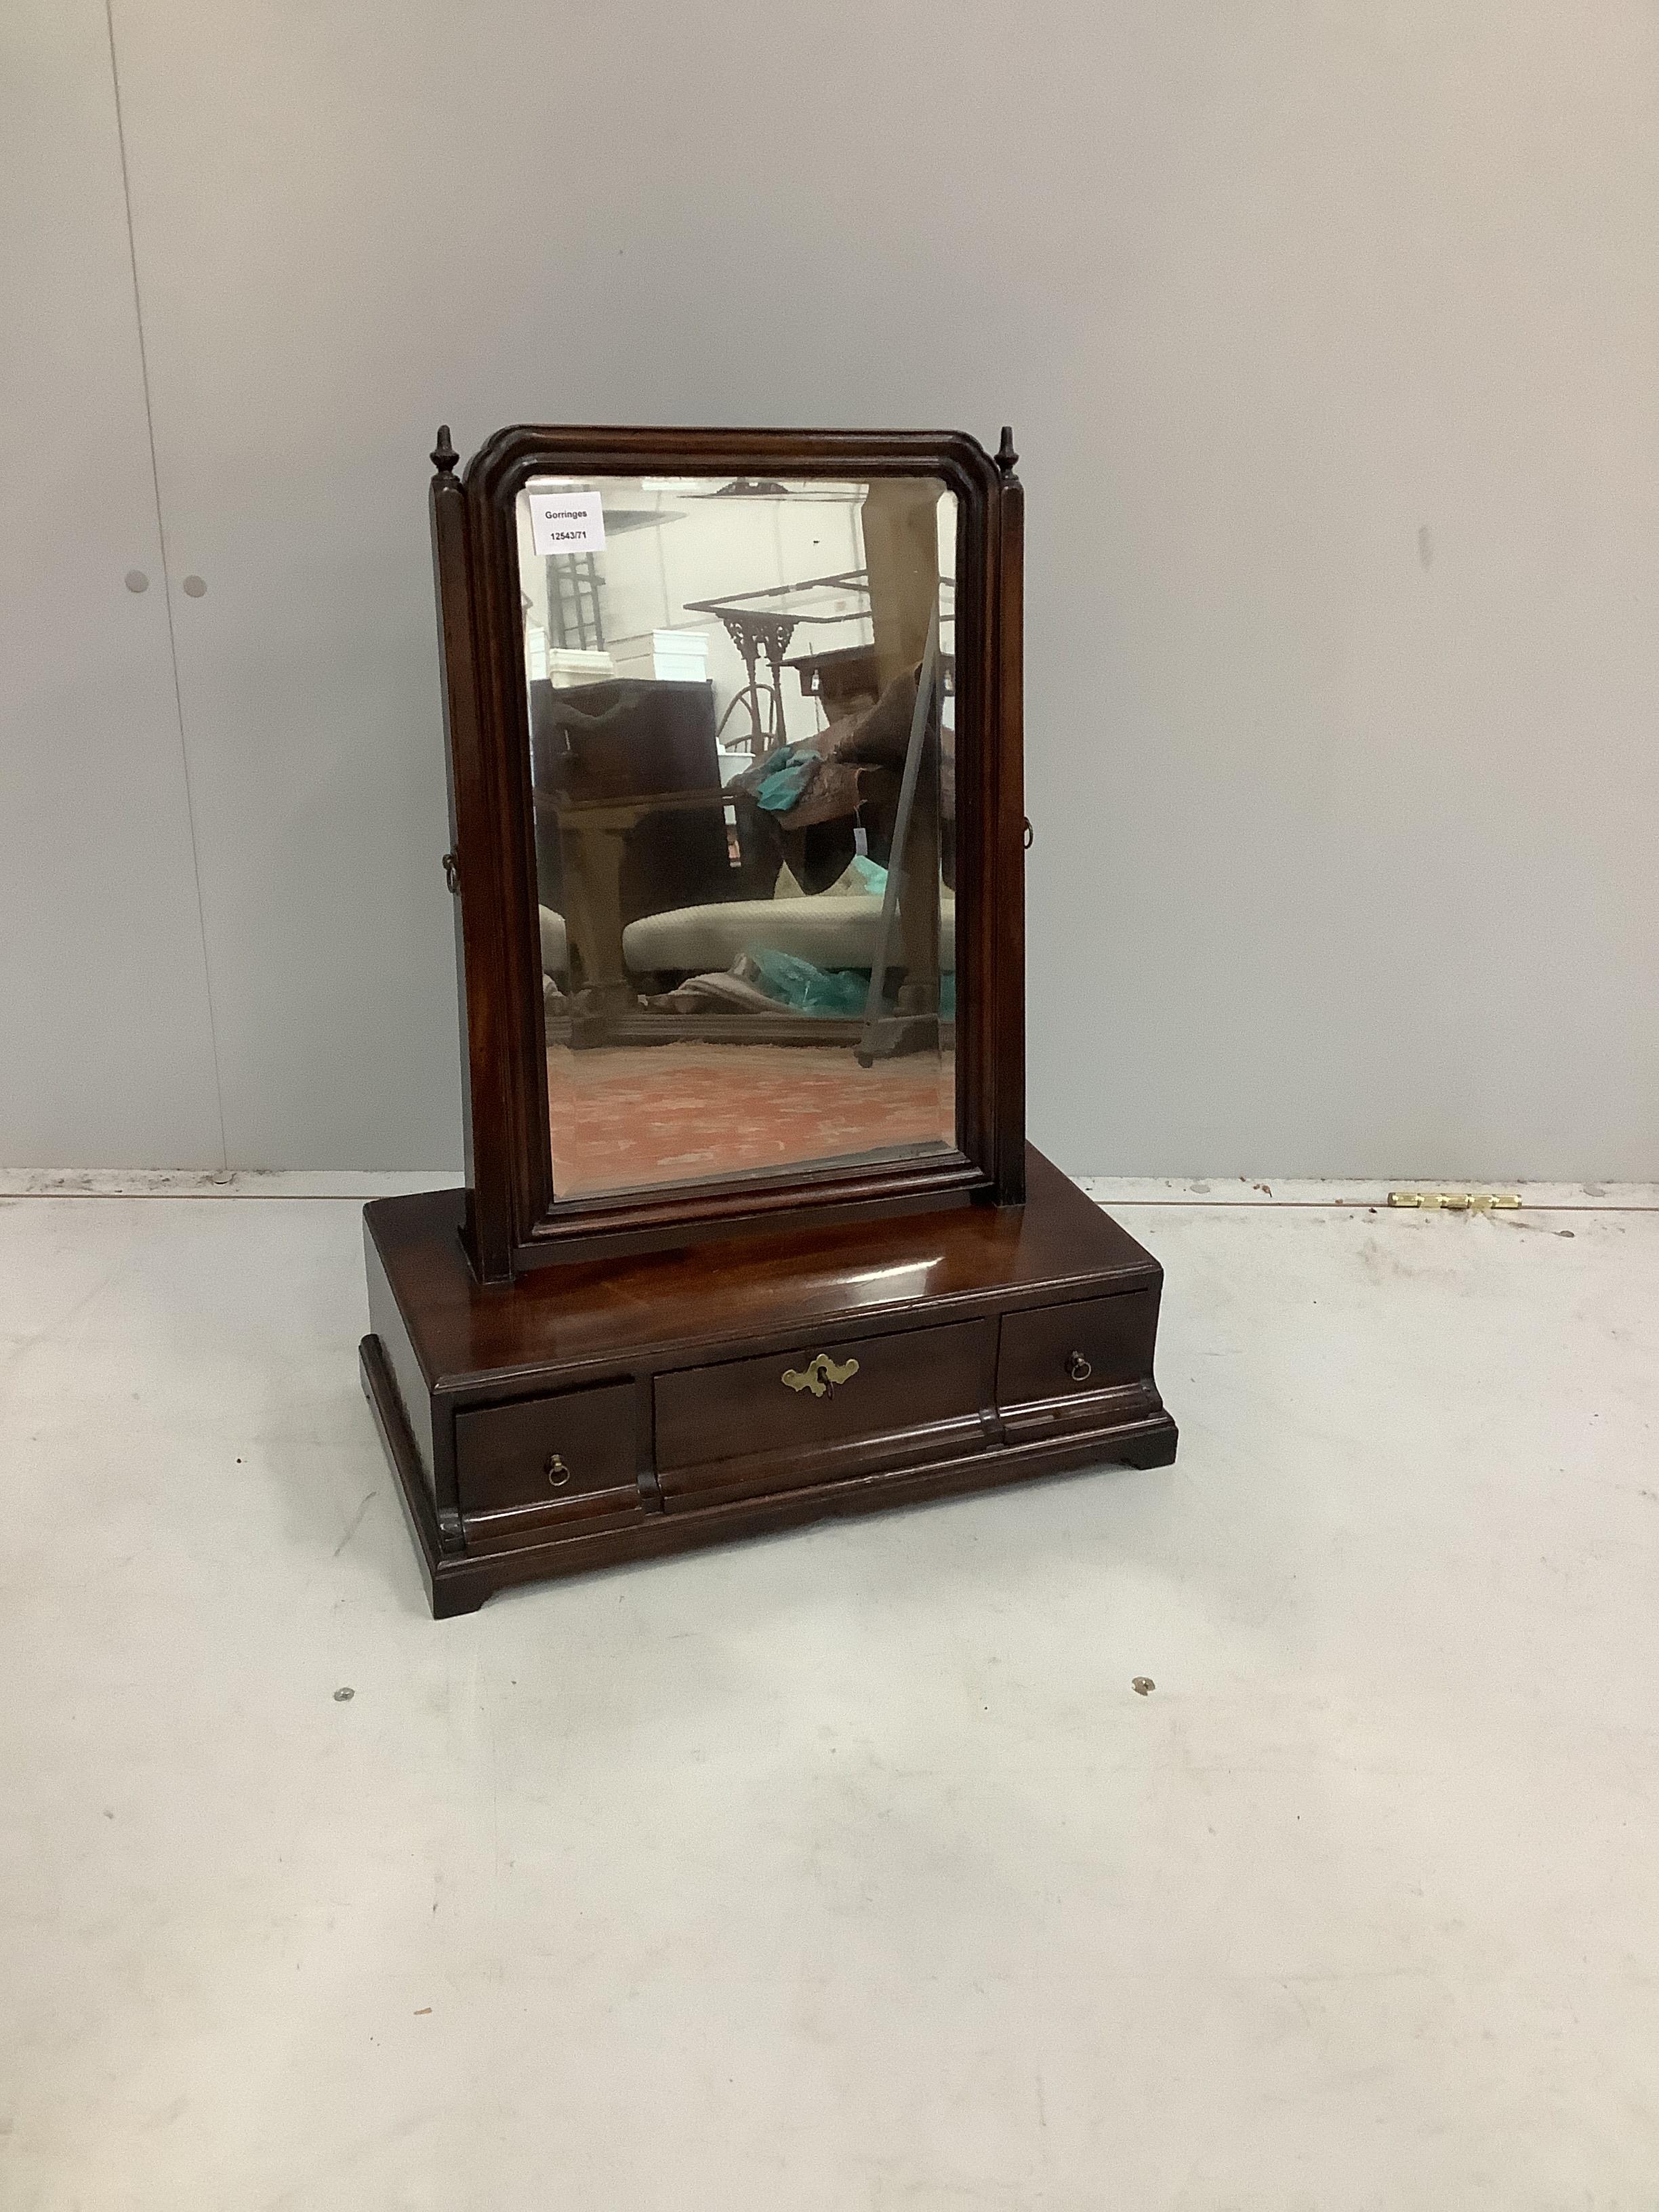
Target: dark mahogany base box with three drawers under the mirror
(598,1412)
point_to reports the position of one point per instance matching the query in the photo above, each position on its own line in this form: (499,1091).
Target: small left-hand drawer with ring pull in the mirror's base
(574,1450)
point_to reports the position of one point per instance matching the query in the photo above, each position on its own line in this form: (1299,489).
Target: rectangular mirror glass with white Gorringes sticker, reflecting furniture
(742,755)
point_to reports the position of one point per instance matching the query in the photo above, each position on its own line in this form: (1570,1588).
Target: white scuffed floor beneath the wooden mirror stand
(848,1870)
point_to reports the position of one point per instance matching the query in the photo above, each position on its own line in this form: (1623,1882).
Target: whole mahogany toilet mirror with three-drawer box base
(751,1231)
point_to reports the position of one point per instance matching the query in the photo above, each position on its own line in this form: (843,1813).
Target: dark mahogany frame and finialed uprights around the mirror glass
(514,1220)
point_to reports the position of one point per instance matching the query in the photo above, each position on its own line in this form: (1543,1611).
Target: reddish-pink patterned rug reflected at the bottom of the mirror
(665,1114)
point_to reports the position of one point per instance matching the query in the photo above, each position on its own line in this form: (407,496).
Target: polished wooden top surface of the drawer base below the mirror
(742,1293)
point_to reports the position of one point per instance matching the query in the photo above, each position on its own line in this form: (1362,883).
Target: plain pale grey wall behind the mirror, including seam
(1328,335)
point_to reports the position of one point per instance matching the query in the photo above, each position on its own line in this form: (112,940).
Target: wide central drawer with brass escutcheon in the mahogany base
(782,1419)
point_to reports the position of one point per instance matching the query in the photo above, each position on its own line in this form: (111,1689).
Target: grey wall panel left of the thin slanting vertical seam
(105,1008)
